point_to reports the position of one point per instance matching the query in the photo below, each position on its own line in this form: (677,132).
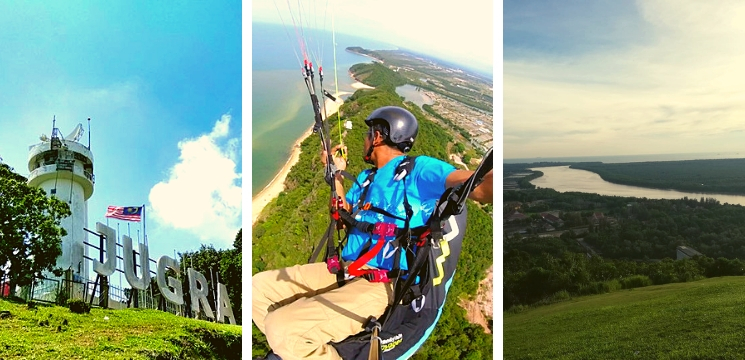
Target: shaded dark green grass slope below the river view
(696,320)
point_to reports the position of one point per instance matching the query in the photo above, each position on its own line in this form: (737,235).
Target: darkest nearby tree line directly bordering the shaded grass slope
(534,278)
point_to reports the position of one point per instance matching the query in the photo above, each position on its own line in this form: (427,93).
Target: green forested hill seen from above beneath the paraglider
(292,224)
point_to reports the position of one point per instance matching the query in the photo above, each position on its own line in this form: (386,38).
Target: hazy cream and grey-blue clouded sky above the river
(588,78)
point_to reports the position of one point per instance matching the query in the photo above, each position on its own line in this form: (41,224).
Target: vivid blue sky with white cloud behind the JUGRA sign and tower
(161,82)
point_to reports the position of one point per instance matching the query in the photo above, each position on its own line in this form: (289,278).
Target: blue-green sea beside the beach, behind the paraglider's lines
(281,109)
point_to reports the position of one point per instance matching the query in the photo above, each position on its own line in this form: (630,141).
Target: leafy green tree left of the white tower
(30,232)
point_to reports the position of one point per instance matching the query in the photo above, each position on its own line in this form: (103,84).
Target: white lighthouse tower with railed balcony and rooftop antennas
(63,168)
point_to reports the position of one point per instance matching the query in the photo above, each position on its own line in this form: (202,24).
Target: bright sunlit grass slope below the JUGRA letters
(53,332)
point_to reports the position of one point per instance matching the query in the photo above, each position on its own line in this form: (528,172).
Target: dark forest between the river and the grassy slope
(633,243)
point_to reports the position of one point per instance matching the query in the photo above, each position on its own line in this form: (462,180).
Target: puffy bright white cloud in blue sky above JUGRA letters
(202,194)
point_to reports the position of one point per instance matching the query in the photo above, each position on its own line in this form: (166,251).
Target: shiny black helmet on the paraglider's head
(402,126)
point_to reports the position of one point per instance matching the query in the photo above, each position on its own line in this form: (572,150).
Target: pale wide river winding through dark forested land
(563,179)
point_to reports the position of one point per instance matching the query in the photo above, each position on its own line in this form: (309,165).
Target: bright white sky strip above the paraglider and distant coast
(461,32)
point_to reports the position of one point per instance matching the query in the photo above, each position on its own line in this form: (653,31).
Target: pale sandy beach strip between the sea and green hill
(277,185)
